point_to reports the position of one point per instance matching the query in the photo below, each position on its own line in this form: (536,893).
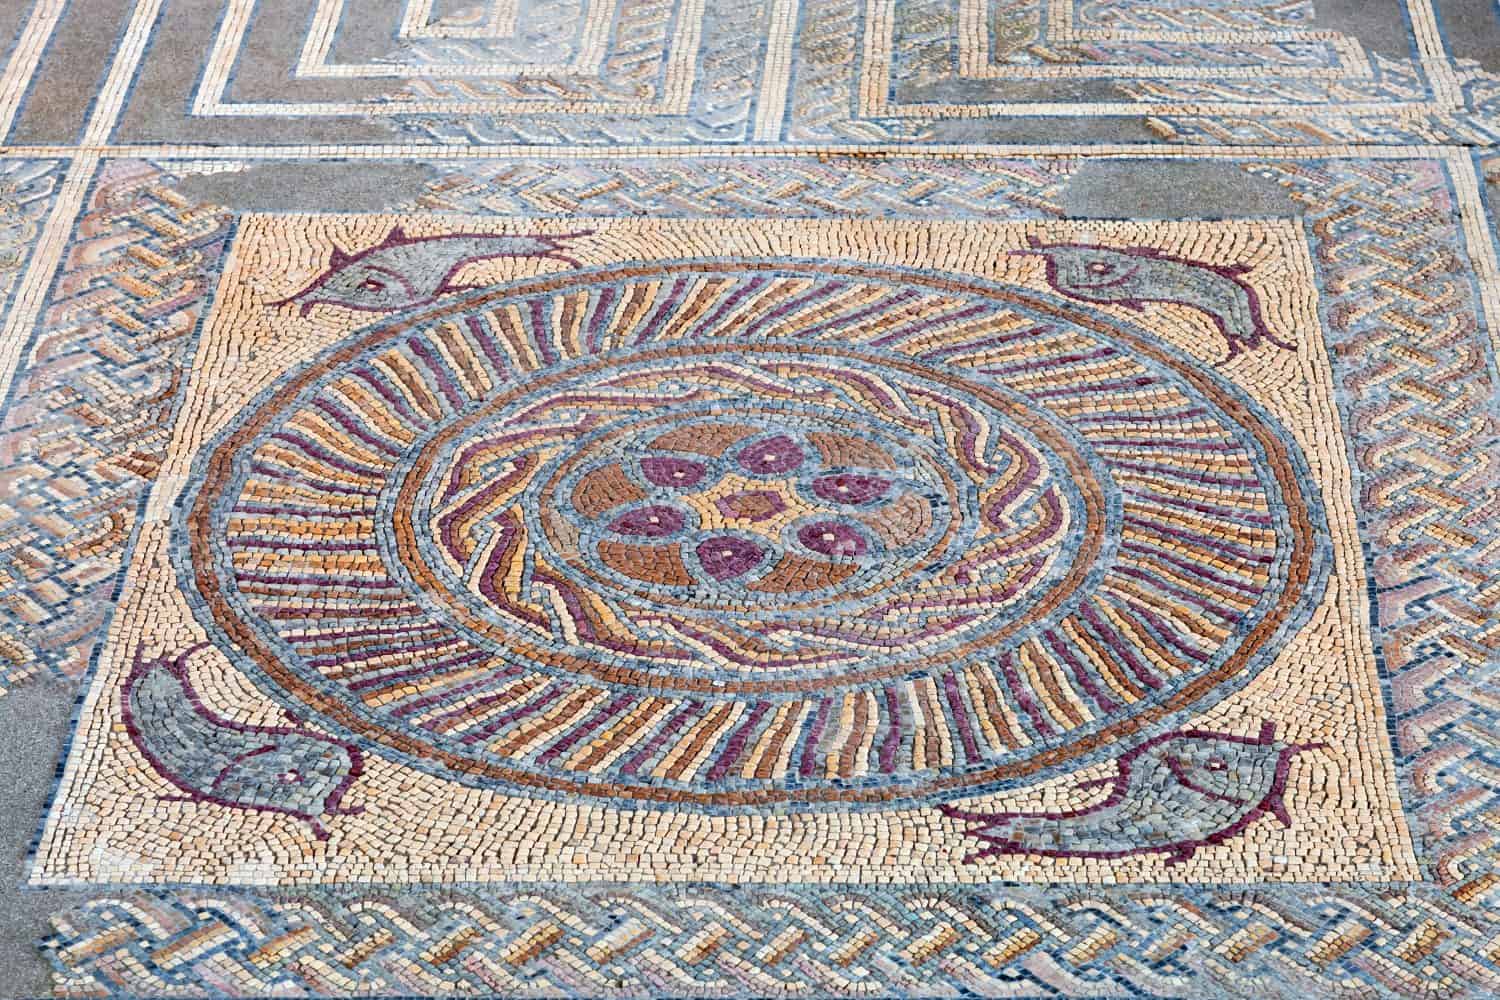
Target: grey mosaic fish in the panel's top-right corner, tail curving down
(1133,277)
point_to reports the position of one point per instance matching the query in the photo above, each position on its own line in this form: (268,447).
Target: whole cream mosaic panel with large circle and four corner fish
(700,466)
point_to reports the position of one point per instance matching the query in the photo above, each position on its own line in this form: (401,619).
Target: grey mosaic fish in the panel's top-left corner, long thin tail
(403,272)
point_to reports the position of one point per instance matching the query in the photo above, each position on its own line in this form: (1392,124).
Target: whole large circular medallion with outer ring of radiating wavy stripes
(736,533)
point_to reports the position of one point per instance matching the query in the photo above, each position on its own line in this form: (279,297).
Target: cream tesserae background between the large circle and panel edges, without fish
(74,849)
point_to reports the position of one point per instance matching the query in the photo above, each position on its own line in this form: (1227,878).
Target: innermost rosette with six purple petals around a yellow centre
(752,507)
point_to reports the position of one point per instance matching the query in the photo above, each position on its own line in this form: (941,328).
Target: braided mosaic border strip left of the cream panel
(88,419)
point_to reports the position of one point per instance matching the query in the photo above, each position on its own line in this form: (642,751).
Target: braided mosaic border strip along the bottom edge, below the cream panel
(713,942)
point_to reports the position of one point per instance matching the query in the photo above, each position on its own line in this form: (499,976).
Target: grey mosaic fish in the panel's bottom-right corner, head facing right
(1172,795)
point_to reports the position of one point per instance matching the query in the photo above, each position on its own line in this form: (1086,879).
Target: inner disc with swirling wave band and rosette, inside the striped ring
(692,518)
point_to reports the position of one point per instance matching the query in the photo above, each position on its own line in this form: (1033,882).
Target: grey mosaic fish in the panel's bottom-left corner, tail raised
(212,759)
